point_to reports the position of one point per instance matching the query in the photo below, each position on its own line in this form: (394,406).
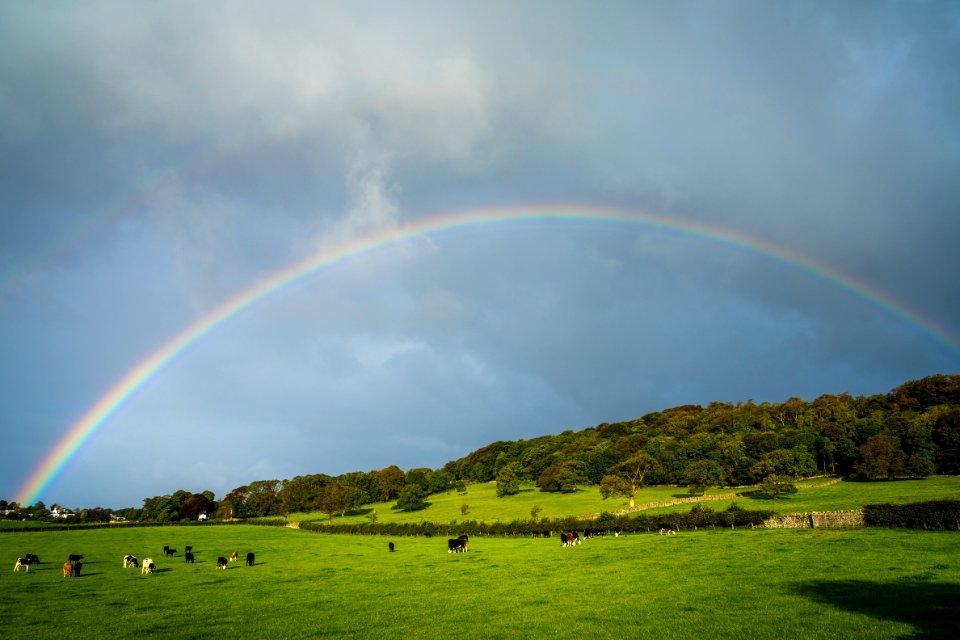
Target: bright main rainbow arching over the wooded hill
(55,461)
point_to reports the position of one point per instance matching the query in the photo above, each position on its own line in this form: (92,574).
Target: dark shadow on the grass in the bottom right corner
(928,606)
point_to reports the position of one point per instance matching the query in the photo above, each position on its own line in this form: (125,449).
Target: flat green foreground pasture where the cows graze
(866,583)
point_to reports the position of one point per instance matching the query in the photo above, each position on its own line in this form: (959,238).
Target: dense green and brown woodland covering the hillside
(913,431)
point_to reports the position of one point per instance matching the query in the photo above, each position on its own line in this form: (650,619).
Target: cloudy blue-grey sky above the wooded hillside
(762,202)
